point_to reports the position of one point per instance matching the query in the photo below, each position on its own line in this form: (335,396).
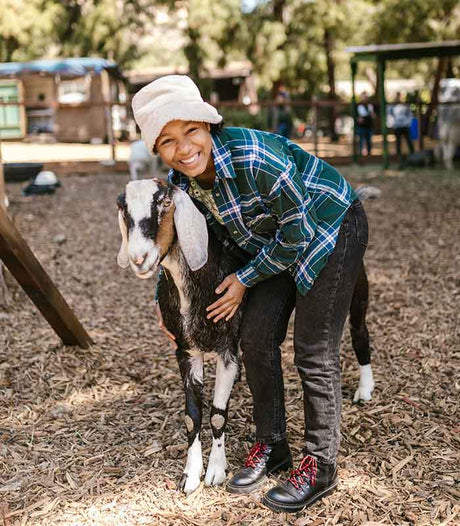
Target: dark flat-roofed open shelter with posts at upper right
(381,54)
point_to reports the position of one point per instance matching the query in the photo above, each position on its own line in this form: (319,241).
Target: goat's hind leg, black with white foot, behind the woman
(360,335)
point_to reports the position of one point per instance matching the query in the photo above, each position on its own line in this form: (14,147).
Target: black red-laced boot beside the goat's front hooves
(262,460)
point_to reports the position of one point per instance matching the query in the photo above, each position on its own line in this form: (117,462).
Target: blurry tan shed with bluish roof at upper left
(74,100)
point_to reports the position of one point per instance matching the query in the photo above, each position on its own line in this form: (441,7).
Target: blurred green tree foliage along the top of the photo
(298,42)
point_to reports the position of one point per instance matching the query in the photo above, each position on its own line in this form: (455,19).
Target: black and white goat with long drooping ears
(160,224)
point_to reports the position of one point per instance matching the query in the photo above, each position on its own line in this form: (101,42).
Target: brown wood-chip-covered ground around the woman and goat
(97,437)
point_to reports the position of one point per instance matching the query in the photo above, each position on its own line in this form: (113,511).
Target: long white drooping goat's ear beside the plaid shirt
(191,230)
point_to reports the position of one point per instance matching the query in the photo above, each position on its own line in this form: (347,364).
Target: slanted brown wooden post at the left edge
(27,270)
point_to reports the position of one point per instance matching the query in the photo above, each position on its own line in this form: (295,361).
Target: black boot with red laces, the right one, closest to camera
(308,483)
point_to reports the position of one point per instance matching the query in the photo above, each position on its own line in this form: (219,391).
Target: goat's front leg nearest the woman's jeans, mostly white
(226,372)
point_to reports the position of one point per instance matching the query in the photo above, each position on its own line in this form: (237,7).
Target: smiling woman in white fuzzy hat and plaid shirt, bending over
(304,233)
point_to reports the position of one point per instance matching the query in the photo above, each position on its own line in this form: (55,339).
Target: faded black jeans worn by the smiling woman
(319,319)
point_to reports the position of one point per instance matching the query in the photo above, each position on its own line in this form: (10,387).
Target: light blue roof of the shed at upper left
(74,67)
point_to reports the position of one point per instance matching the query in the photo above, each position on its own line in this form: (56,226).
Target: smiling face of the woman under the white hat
(186,147)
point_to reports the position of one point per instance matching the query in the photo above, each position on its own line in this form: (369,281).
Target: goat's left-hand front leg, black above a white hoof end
(191,368)
